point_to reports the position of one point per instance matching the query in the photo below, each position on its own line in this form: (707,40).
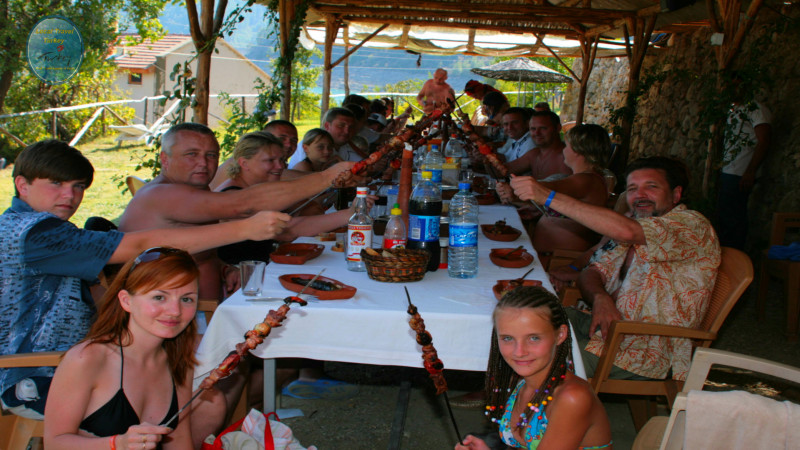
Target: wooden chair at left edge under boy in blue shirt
(15,431)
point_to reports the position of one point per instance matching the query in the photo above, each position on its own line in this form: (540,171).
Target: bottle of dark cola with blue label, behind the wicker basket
(424,209)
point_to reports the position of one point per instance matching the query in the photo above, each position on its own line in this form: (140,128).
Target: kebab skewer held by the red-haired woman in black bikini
(253,338)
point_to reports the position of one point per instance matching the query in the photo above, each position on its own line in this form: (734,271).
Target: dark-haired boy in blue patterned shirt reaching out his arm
(48,263)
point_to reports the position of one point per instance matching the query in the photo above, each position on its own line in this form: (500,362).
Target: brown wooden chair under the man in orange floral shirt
(734,275)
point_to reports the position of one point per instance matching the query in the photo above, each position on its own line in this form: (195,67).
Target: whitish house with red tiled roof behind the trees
(144,70)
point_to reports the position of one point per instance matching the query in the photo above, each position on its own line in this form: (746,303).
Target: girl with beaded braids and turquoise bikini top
(532,393)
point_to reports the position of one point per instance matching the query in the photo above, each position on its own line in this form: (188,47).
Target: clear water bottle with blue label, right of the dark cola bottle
(462,256)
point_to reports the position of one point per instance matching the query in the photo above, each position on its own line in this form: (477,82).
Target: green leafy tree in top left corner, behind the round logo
(95,20)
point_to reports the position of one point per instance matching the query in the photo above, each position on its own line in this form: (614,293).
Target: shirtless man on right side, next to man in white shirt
(546,158)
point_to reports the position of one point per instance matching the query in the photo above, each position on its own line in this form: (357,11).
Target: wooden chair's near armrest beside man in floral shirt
(620,328)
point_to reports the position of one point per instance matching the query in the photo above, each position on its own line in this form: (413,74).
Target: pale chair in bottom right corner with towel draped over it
(668,433)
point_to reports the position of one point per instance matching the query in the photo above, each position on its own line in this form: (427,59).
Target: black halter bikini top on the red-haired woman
(117,415)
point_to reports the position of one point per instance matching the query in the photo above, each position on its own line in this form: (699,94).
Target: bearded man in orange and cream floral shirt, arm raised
(659,265)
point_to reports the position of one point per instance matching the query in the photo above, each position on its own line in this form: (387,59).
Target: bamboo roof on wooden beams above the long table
(495,27)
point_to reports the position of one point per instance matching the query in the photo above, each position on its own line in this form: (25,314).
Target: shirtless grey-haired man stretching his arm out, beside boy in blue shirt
(180,197)
